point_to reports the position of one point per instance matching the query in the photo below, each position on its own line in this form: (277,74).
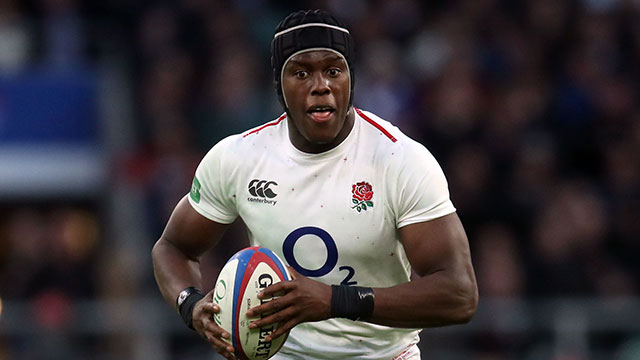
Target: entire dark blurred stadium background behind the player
(531,108)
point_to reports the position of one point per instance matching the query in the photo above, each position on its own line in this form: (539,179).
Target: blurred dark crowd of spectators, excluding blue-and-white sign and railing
(531,107)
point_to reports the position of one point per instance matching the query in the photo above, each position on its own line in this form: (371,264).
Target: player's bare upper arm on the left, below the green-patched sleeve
(191,232)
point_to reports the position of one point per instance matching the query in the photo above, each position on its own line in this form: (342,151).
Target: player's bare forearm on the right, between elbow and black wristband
(433,300)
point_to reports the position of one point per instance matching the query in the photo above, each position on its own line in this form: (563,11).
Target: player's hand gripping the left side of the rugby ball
(204,324)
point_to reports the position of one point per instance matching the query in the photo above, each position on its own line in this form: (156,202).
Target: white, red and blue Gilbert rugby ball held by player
(245,274)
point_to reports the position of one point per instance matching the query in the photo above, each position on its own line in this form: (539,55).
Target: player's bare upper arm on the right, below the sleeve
(437,245)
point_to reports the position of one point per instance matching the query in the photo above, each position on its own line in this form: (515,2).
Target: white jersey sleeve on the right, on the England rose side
(421,188)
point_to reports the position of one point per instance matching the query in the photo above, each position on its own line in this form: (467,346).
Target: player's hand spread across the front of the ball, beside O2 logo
(300,300)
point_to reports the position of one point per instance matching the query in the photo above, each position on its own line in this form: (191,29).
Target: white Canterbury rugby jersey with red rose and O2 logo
(332,216)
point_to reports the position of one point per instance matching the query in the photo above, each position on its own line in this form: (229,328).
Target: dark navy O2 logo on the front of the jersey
(332,254)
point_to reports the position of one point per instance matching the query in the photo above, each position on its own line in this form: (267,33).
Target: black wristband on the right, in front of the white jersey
(352,302)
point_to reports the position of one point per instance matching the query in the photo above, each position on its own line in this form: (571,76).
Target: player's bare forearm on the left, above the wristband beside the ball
(173,270)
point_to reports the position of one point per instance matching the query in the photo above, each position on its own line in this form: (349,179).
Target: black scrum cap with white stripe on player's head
(309,29)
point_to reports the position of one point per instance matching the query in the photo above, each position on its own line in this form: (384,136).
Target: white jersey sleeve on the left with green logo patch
(212,187)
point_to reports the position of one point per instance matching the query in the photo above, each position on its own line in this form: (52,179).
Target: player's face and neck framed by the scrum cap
(316,86)
